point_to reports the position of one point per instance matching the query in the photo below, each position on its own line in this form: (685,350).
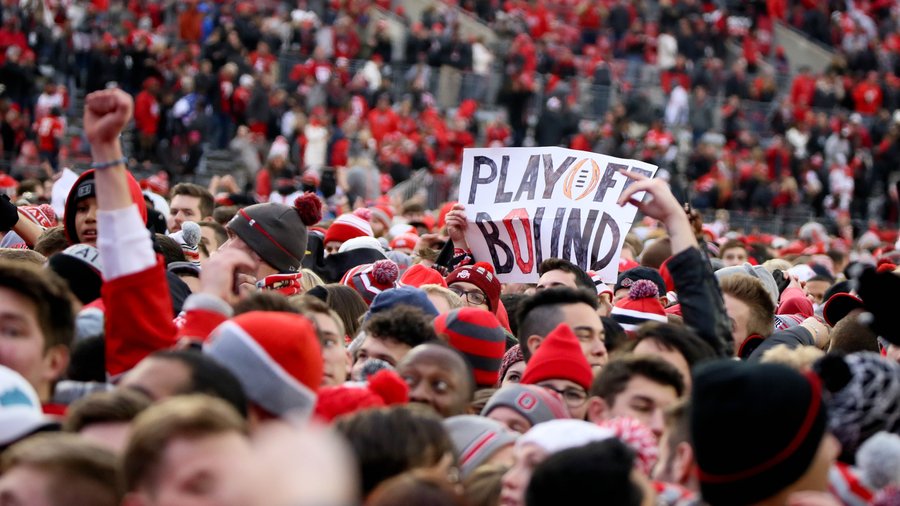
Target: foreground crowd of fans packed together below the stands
(237,353)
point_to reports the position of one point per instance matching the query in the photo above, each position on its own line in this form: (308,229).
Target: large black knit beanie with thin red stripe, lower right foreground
(756,429)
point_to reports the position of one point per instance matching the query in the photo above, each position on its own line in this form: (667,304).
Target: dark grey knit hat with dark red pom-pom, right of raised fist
(276,232)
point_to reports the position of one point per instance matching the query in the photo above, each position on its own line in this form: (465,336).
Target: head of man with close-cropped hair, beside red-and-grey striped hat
(438,376)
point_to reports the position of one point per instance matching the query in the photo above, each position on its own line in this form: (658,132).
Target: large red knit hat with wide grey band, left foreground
(276,357)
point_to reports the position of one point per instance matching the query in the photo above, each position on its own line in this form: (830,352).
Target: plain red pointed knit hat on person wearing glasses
(559,357)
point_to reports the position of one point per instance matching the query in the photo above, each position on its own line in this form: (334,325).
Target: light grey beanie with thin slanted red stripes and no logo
(476,439)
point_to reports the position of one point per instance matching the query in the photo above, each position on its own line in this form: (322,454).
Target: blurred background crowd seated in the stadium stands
(326,88)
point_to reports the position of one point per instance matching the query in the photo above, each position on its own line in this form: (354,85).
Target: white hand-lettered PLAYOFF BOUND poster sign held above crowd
(525,205)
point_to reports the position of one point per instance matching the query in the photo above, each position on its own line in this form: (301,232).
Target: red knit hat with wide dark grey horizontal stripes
(478,335)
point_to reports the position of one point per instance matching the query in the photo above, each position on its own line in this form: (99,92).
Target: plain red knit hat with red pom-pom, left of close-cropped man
(384,388)
